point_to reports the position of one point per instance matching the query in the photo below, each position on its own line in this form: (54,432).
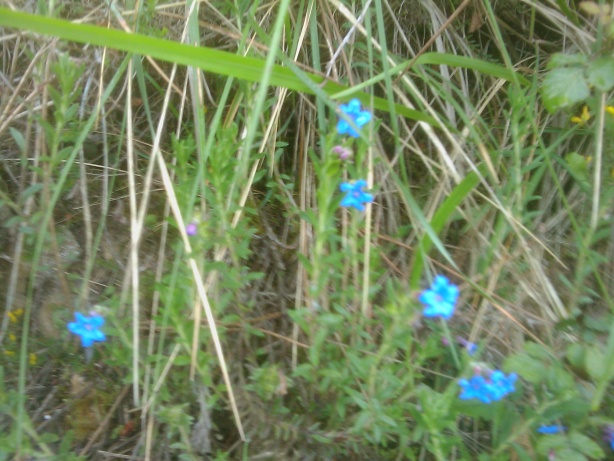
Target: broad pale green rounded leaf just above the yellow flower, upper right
(564,87)
